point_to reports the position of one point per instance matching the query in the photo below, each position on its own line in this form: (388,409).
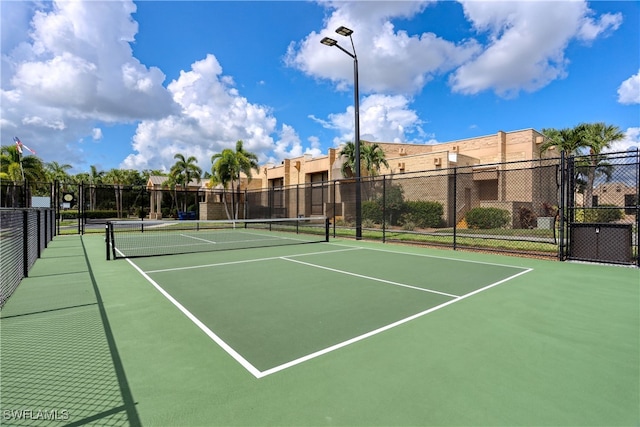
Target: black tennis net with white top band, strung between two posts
(129,239)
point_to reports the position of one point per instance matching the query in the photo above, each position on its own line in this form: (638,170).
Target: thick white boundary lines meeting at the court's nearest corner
(261,374)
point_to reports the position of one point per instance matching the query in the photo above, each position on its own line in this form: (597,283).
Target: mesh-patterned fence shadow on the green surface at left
(59,362)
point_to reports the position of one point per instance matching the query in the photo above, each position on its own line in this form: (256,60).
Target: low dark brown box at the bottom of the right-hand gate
(602,242)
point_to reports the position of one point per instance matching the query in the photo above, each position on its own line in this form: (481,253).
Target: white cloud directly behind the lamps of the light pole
(395,61)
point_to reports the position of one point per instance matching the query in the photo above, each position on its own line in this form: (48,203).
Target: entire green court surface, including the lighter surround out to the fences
(340,333)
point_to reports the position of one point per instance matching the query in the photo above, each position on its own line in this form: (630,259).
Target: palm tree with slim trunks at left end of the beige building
(226,169)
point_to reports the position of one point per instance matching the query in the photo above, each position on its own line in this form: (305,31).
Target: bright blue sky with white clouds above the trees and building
(130,84)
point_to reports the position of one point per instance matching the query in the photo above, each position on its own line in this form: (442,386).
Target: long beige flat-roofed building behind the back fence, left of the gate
(491,171)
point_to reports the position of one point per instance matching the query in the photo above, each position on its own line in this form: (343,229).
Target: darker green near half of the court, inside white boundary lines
(301,302)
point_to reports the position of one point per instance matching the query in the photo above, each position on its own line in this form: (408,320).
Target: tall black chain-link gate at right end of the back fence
(601,215)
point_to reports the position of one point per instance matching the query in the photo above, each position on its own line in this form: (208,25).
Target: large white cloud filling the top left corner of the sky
(71,68)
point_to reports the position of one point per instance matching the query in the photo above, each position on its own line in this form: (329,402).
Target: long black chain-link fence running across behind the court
(568,208)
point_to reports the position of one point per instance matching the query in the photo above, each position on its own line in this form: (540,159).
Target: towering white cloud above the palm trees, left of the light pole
(213,117)
